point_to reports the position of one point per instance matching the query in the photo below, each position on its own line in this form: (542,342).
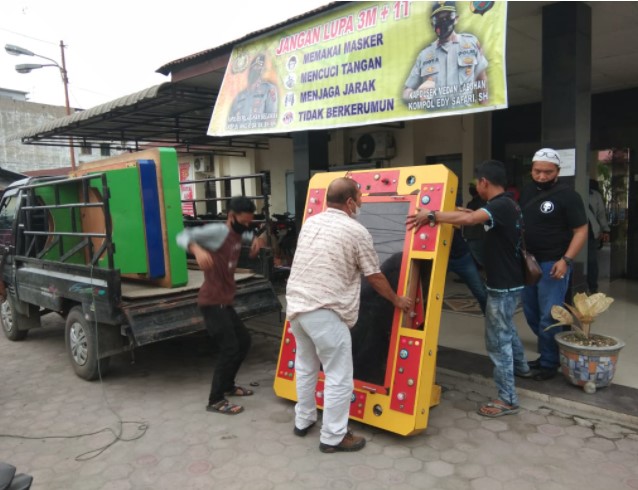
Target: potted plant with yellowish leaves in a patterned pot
(586,359)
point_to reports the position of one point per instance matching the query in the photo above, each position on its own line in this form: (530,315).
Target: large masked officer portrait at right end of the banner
(451,72)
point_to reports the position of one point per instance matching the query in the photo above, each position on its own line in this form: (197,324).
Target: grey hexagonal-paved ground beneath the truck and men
(177,444)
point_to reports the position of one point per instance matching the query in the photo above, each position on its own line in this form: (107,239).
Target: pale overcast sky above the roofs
(113,48)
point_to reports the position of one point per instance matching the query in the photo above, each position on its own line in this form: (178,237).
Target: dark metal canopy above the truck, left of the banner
(169,114)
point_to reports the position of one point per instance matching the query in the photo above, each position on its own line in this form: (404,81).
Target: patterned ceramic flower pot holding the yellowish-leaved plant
(590,367)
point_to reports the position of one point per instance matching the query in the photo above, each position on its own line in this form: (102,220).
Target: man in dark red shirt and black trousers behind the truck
(216,248)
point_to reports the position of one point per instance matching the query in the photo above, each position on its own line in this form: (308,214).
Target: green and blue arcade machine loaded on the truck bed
(145,208)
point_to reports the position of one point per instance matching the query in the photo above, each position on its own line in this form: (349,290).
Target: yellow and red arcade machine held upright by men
(394,354)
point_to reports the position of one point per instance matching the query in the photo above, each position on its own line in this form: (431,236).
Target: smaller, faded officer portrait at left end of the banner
(257,105)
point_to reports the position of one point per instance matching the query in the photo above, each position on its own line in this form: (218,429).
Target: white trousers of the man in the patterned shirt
(323,340)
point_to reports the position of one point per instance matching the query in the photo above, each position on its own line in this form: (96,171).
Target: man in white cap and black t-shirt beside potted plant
(555,231)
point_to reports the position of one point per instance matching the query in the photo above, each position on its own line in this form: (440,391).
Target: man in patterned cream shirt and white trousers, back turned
(322,298)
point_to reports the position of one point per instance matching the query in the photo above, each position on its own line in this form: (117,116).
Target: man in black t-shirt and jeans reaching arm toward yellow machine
(504,271)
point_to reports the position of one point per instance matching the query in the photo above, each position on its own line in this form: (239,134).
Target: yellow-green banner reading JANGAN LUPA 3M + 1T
(367,63)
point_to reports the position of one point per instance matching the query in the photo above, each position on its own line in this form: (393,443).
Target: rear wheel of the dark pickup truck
(82,346)
